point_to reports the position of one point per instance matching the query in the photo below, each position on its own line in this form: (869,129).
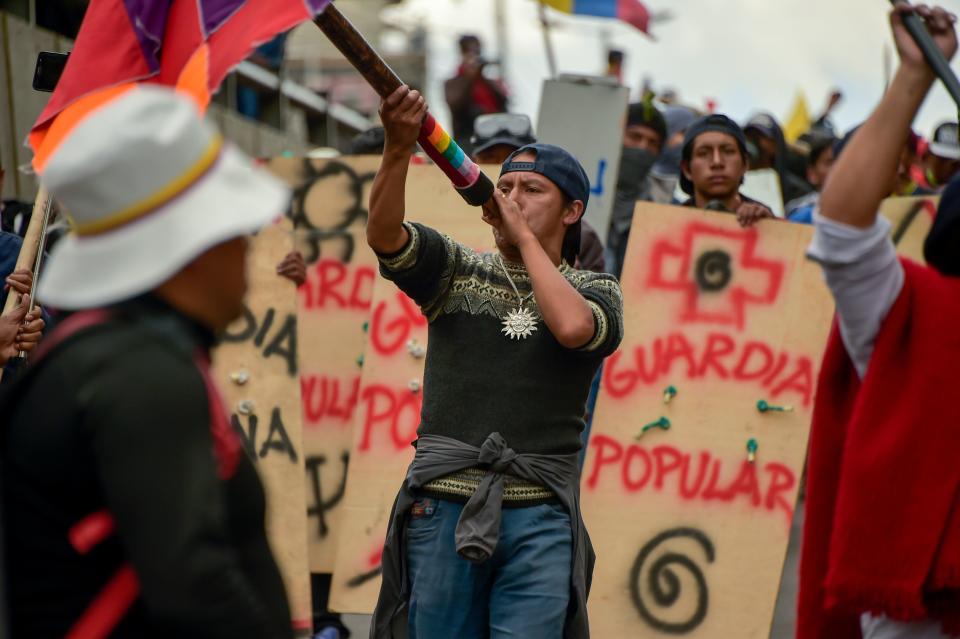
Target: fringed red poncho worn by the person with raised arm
(882,530)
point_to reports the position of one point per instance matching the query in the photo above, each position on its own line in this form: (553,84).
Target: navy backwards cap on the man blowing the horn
(564,170)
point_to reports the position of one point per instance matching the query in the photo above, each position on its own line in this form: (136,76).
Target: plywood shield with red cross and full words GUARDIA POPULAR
(690,527)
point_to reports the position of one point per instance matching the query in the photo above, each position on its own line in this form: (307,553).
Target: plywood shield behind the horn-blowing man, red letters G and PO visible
(390,396)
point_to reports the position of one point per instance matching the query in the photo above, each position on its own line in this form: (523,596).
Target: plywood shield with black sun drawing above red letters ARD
(329,209)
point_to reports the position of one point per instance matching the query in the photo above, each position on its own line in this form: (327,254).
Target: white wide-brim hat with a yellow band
(149,187)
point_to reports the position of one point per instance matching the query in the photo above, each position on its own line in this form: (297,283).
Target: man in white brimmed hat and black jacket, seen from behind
(130,507)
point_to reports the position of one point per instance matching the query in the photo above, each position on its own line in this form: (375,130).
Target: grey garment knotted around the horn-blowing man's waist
(478,529)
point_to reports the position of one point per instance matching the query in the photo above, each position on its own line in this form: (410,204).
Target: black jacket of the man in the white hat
(118,418)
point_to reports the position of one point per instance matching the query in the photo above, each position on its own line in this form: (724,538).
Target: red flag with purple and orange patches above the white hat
(189,44)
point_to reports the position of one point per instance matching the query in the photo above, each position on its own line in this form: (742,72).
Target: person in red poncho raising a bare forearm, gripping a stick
(881,543)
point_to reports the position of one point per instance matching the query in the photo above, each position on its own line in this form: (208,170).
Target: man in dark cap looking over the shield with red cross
(713,164)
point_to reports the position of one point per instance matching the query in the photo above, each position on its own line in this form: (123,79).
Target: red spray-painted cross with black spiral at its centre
(718,272)
